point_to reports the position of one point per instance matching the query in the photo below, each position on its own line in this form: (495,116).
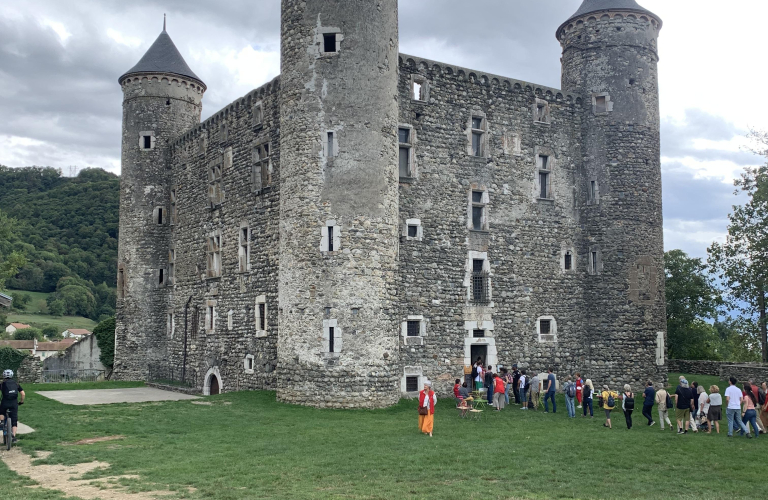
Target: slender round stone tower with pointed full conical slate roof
(162,98)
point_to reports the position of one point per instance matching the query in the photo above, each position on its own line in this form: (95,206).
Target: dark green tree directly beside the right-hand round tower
(692,299)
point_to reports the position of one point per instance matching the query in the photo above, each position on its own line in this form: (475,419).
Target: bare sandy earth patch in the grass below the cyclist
(66,478)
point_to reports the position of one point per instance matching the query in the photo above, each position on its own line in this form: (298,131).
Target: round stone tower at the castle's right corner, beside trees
(610,60)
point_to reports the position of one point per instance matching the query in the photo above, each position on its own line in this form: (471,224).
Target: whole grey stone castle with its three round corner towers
(370,219)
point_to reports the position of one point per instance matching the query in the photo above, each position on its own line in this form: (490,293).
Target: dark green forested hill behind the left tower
(65,226)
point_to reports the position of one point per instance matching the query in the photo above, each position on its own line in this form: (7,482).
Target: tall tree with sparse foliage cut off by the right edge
(741,261)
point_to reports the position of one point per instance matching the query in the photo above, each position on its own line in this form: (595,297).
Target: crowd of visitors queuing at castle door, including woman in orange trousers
(694,408)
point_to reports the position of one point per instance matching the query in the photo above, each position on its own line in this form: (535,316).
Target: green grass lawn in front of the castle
(246,445)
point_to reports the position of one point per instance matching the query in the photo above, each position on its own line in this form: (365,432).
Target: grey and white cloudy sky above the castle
(60,104)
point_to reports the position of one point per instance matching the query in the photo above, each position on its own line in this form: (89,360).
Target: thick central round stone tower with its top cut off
(338,343)
